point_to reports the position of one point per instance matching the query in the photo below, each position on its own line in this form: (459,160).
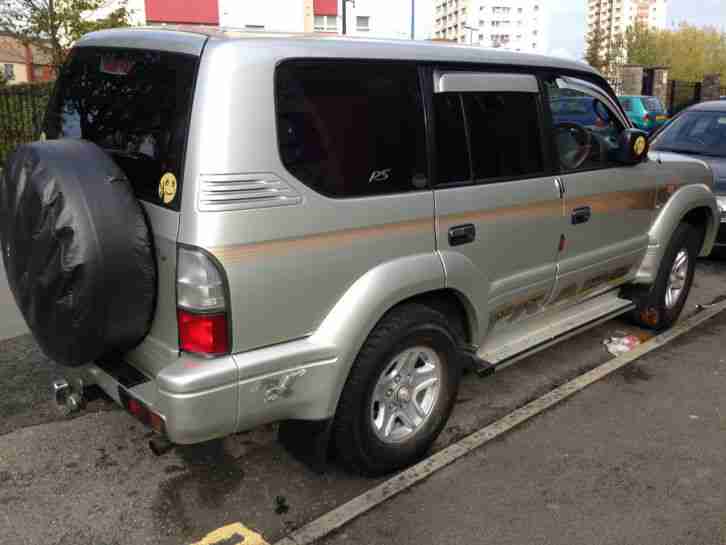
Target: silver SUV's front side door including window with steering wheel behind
(608,206)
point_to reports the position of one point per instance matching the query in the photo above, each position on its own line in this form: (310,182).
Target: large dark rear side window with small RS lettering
(350,130)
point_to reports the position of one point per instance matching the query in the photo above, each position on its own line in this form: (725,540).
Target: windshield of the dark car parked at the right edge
(698,133)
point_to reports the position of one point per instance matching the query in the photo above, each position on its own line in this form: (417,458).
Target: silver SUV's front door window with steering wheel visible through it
(585,132)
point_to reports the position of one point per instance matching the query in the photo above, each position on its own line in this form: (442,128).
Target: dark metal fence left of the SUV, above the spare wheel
(21,113)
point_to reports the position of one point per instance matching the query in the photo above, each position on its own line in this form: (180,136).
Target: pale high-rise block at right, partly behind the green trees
(614,17)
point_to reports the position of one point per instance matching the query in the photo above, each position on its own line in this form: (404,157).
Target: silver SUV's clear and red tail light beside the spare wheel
(202,309)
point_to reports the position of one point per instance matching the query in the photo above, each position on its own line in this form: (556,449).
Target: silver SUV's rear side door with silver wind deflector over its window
(499,213)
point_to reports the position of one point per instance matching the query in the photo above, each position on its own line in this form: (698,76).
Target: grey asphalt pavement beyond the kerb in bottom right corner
(638,458)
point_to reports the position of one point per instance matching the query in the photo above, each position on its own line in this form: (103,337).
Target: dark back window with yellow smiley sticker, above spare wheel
(135,104)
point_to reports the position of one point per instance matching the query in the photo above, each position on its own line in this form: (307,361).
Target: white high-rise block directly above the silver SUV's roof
(517,25)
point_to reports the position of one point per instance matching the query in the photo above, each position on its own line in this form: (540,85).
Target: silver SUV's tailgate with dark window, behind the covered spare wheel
(131,93)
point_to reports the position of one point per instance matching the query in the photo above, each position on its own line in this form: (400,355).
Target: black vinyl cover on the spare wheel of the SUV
(77,250)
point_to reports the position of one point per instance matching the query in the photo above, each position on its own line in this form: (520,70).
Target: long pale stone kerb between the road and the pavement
(356,507)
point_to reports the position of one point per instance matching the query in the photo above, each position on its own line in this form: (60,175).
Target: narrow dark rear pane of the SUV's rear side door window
(451,146)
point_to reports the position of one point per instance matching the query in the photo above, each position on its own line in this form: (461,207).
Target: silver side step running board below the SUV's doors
(502,351)
